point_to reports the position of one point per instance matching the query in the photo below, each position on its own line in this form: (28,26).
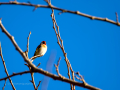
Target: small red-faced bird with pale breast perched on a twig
(41,49)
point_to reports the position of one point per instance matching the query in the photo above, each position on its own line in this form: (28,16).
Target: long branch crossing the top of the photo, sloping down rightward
(62,10)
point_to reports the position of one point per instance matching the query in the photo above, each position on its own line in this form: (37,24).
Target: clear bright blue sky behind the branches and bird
(92,46)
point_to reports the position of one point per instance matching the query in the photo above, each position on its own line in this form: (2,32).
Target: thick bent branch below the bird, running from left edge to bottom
(39,70)
